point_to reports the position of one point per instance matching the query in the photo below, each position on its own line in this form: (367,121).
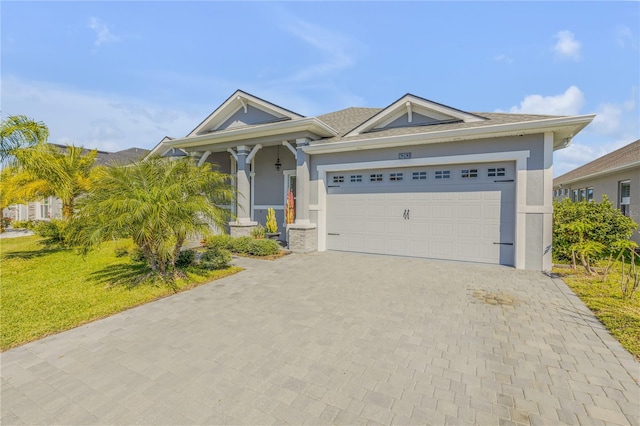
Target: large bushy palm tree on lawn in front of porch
(159,203)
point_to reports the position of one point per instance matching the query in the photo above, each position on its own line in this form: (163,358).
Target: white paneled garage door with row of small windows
(461,212)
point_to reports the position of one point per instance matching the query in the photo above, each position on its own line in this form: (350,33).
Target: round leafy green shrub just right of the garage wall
(588,229)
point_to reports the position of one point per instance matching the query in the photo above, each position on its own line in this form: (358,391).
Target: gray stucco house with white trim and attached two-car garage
(416,178)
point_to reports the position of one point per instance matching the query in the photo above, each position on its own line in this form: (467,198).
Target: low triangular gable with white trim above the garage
(413,111)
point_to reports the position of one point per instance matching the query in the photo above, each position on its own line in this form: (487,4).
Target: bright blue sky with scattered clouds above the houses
(112,75)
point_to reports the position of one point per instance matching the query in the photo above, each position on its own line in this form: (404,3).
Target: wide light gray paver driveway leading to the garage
(335,338)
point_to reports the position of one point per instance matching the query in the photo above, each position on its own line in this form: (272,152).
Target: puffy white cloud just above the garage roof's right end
(568,103)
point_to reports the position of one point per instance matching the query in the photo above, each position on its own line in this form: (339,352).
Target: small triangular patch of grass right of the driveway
(619,315)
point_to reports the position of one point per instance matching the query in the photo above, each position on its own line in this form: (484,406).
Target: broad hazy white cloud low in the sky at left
(94,120)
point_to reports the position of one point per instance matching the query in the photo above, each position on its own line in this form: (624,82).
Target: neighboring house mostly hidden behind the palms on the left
(51,207)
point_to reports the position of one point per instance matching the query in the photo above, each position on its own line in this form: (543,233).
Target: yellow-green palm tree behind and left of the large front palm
(67,172)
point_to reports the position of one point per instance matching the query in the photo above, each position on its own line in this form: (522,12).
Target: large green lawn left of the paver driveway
(45,291)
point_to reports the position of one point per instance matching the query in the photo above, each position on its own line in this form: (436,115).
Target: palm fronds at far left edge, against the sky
(19,131)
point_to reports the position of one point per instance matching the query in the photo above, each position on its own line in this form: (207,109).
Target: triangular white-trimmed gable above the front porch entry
(242,109)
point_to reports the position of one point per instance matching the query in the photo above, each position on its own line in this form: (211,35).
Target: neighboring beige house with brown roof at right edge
(616,175)
